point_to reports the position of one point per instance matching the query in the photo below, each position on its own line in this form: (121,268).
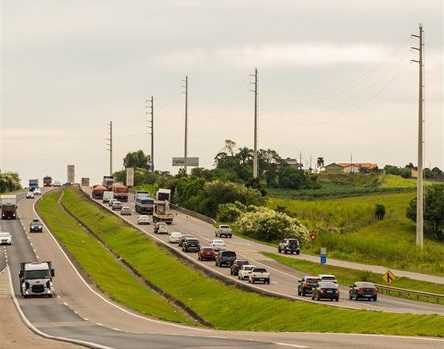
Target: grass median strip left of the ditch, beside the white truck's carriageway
(101,266)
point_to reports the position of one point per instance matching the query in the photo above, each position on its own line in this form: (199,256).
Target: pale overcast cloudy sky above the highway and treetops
(335,78)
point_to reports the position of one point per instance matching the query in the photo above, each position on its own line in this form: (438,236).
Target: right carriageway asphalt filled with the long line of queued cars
(283,278)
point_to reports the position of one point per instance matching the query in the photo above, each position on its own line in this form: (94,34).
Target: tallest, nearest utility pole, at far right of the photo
(419,182)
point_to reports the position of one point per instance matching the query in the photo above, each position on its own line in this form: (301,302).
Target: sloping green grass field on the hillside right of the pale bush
(349,231)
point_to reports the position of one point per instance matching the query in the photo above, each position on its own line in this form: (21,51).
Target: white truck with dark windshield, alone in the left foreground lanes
(36,279)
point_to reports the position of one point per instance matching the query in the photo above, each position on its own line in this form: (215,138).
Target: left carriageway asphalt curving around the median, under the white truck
(81,312)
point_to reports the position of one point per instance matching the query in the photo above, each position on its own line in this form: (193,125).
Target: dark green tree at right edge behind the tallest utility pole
(433,210)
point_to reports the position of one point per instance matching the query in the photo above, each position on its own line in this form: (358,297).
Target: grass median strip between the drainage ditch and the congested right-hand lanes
(227,307)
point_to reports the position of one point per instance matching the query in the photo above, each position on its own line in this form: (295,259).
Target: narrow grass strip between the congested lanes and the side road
(346,276)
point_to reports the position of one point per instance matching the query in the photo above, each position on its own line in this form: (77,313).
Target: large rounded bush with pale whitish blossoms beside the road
(268,225)
